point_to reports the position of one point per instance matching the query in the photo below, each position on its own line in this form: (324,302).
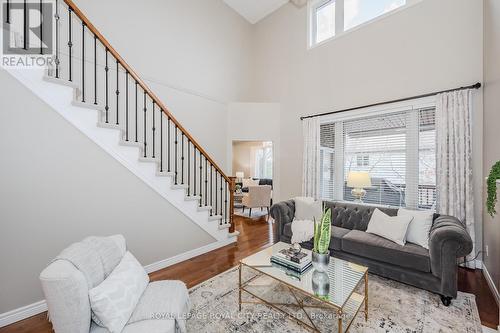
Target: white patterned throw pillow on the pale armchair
(115,299)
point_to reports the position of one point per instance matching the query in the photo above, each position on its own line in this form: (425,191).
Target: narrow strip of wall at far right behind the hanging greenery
(491,125)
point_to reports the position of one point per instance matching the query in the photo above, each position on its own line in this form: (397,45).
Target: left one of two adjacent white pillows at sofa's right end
(392,228)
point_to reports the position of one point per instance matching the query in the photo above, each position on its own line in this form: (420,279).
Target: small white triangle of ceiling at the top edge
(255,10)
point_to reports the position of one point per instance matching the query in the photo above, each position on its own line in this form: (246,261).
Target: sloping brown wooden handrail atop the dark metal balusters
(143,85)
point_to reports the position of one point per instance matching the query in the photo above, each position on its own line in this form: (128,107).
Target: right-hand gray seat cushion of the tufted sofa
(377,248)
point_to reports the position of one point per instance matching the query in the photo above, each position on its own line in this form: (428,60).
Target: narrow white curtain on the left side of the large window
(310,165)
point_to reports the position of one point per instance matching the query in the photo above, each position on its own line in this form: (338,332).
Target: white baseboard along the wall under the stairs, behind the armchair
(27,311)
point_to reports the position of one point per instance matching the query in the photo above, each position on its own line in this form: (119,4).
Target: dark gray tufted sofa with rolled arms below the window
(434,269)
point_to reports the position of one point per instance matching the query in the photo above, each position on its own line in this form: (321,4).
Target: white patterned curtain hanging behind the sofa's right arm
(454,159)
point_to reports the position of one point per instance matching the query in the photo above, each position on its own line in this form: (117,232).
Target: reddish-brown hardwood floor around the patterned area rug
(254,236)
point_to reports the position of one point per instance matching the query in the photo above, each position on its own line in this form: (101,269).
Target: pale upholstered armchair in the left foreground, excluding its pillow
(163,306)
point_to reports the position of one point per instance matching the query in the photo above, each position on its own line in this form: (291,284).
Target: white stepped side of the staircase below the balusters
(61,98)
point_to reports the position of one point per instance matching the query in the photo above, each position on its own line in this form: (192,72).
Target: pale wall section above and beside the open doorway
(257,122)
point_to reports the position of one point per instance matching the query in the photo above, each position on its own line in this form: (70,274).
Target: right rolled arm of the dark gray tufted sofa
(448,240)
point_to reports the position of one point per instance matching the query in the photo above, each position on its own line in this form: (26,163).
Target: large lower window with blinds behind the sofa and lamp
(397,149)
